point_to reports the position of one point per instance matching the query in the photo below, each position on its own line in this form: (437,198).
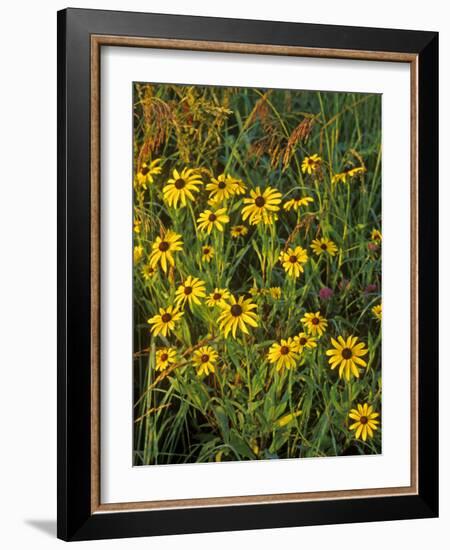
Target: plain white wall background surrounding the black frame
(28,271)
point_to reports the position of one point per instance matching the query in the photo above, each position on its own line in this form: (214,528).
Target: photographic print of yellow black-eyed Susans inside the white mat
(257,274)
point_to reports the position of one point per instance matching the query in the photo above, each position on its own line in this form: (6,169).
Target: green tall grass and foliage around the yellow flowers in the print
(246,409)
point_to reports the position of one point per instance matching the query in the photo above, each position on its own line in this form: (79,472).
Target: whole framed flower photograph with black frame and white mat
(247,257)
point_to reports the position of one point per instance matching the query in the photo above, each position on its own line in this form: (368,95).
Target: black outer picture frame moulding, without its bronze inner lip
(76,521)
